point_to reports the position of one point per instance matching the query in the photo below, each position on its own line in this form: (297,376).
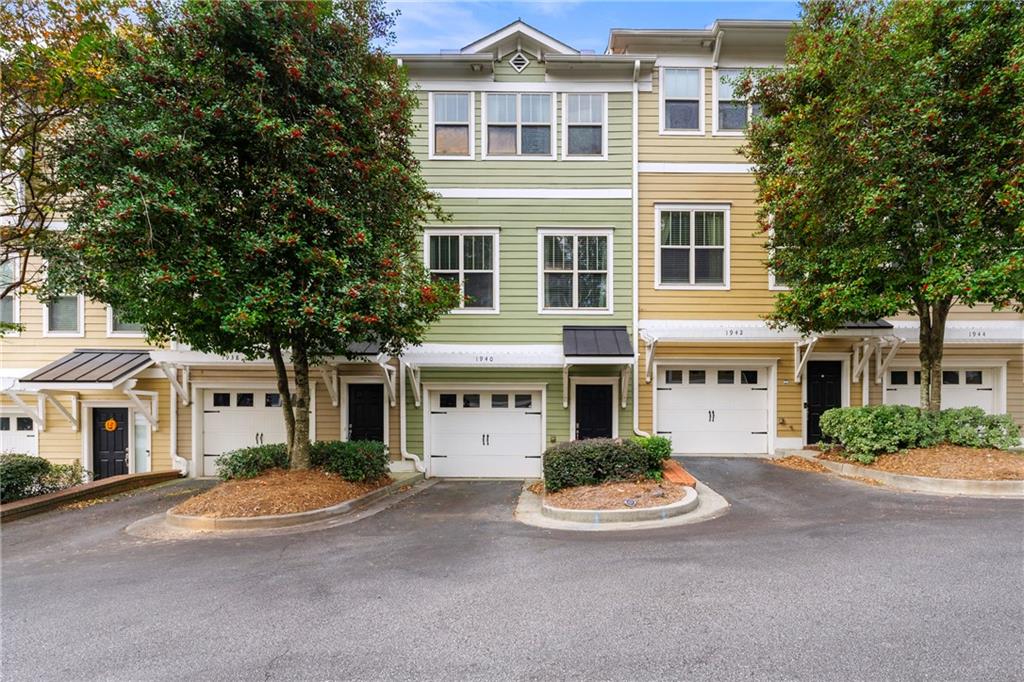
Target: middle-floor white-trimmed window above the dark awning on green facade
(576,272)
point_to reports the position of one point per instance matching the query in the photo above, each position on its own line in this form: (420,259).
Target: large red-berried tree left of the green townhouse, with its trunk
(251,189)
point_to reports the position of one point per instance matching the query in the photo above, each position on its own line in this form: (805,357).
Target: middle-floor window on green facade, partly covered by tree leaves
(470,259)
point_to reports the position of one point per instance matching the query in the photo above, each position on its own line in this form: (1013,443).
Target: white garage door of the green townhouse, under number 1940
(486,434)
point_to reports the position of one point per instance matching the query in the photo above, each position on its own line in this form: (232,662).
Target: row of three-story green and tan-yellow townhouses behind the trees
(602,226)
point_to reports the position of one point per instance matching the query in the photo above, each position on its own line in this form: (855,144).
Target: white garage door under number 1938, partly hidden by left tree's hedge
(239,418)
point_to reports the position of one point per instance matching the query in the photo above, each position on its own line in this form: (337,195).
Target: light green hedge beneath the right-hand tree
(867,433)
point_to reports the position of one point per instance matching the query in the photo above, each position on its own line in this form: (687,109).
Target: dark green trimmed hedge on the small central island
(600,460)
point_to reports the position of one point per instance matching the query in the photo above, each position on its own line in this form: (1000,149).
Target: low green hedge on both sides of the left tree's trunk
(355,460)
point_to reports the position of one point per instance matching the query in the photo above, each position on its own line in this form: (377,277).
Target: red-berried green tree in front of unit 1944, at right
(890,163)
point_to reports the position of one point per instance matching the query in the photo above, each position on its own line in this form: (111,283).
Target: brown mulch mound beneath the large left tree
(277,492)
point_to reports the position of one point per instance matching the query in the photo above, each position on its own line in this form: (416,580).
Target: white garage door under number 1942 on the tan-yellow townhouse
(714,410)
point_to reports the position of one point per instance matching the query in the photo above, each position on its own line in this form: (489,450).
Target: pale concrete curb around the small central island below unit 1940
(707,504)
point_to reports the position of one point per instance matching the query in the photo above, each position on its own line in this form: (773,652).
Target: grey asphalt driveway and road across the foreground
(806,578)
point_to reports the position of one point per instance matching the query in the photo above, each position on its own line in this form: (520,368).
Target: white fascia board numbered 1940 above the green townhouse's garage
(486,356)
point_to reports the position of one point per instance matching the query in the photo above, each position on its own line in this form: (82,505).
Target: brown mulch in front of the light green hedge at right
(950,462)
